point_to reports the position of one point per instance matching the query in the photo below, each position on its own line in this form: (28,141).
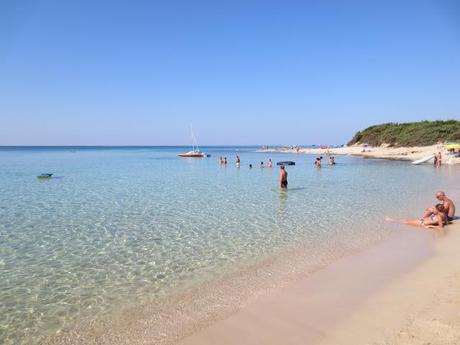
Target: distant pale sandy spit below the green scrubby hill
(383,152)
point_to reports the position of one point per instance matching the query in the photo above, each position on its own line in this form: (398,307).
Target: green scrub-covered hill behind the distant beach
(422,133)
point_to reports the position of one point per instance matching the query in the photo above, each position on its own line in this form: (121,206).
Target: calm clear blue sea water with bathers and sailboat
(118,226)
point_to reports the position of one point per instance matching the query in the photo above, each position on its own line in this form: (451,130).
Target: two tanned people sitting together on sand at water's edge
(437,216)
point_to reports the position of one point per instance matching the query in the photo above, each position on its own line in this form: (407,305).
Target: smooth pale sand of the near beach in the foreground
(403,291)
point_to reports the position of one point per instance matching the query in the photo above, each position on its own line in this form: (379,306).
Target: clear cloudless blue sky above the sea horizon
(243,72)
